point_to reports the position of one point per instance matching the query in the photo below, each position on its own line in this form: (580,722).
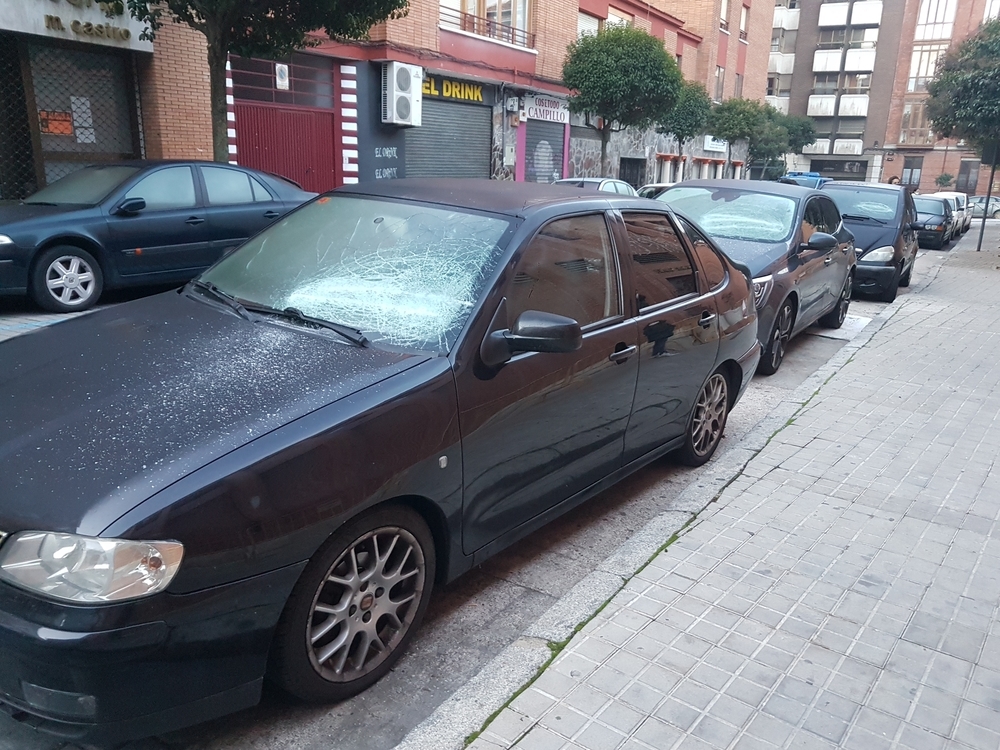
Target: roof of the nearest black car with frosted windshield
(495,196)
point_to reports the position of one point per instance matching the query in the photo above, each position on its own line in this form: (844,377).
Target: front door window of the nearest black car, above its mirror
(568,269)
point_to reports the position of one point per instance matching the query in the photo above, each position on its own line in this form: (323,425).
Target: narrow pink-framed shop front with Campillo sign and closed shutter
(543,147)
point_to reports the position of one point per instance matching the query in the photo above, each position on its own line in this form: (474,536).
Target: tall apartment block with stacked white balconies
(835,62)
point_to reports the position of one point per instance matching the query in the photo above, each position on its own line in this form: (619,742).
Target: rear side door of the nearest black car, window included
(678,332)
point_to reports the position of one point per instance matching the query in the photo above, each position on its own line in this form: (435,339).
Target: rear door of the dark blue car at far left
(238,206)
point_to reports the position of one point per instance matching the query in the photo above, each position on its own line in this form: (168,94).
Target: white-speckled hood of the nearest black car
(99,413)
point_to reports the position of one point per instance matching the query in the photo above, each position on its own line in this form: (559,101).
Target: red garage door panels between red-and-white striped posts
(293,142)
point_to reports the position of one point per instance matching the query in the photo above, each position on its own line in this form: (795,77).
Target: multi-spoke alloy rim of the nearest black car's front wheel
(366,604)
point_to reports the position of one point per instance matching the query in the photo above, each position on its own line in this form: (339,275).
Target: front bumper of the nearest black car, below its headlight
(117,672)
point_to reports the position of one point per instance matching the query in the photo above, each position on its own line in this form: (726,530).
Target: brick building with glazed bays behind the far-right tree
(911,151)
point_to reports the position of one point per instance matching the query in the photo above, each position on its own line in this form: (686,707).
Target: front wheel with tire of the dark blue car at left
(66,279)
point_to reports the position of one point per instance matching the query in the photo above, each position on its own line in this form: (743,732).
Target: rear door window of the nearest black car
(660,264)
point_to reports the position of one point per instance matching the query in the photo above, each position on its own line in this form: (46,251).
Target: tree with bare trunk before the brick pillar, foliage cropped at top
(266,28)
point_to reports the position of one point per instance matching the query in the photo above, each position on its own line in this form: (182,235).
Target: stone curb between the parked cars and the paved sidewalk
(476,703)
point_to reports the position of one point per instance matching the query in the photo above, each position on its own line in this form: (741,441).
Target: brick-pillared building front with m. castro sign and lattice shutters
(79,87)
